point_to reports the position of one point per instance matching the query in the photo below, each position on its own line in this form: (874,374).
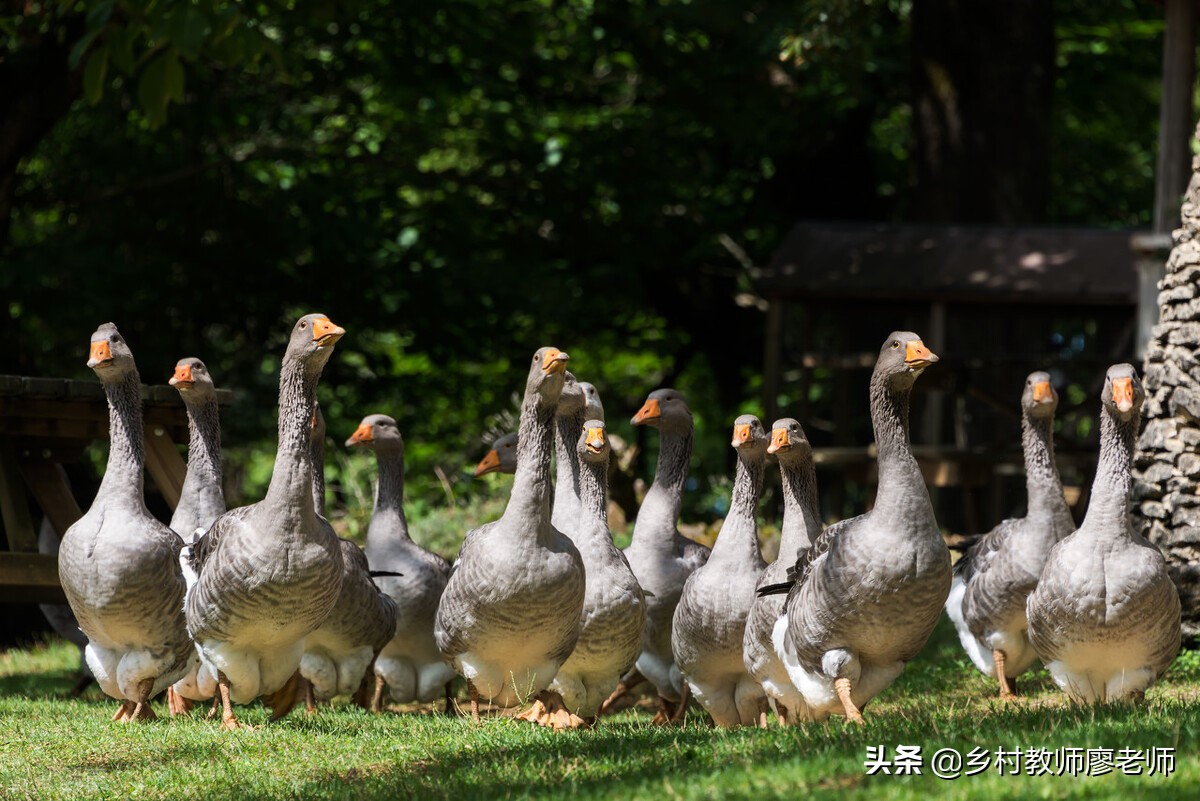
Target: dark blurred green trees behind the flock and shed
(461,183)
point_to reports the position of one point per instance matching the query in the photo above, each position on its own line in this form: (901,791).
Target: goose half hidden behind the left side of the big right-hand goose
(801,528)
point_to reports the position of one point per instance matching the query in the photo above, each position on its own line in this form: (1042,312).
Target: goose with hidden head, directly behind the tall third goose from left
(338,657)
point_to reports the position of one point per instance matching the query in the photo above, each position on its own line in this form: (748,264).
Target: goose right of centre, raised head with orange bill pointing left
(661,557)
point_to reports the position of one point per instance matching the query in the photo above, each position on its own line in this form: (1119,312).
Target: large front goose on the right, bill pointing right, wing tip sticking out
(866,598)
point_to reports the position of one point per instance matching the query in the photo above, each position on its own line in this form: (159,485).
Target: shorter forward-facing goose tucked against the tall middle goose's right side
(614,607)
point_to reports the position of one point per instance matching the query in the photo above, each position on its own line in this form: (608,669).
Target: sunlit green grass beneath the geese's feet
(53,748)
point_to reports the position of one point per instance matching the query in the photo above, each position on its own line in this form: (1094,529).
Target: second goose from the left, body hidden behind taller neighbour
(201,502)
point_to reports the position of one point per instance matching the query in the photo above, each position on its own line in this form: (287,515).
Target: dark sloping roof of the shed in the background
(1078,267)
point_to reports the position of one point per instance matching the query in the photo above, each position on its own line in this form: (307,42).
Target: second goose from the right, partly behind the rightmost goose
(994,577)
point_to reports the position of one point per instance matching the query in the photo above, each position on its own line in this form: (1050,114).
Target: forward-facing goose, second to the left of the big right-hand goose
(710,623)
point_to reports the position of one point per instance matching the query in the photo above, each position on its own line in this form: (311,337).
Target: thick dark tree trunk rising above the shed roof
(983,85)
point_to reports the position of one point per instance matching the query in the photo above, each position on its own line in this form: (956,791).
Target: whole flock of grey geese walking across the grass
(541,609)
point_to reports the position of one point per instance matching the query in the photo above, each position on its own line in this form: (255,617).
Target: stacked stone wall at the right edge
(1167,491)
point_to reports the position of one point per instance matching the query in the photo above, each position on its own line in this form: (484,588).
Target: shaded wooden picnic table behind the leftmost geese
(46,423)
